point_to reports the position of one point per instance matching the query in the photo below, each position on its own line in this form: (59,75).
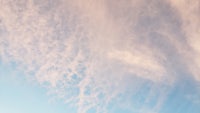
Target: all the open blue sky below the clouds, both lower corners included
(21,96)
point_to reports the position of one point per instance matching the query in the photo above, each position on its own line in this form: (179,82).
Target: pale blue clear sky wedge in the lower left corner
(20,96)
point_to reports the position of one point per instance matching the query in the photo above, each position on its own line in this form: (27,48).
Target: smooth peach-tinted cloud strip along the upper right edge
(190,17)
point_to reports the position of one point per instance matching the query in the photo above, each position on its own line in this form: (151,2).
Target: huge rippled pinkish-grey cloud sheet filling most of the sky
(87,50)
